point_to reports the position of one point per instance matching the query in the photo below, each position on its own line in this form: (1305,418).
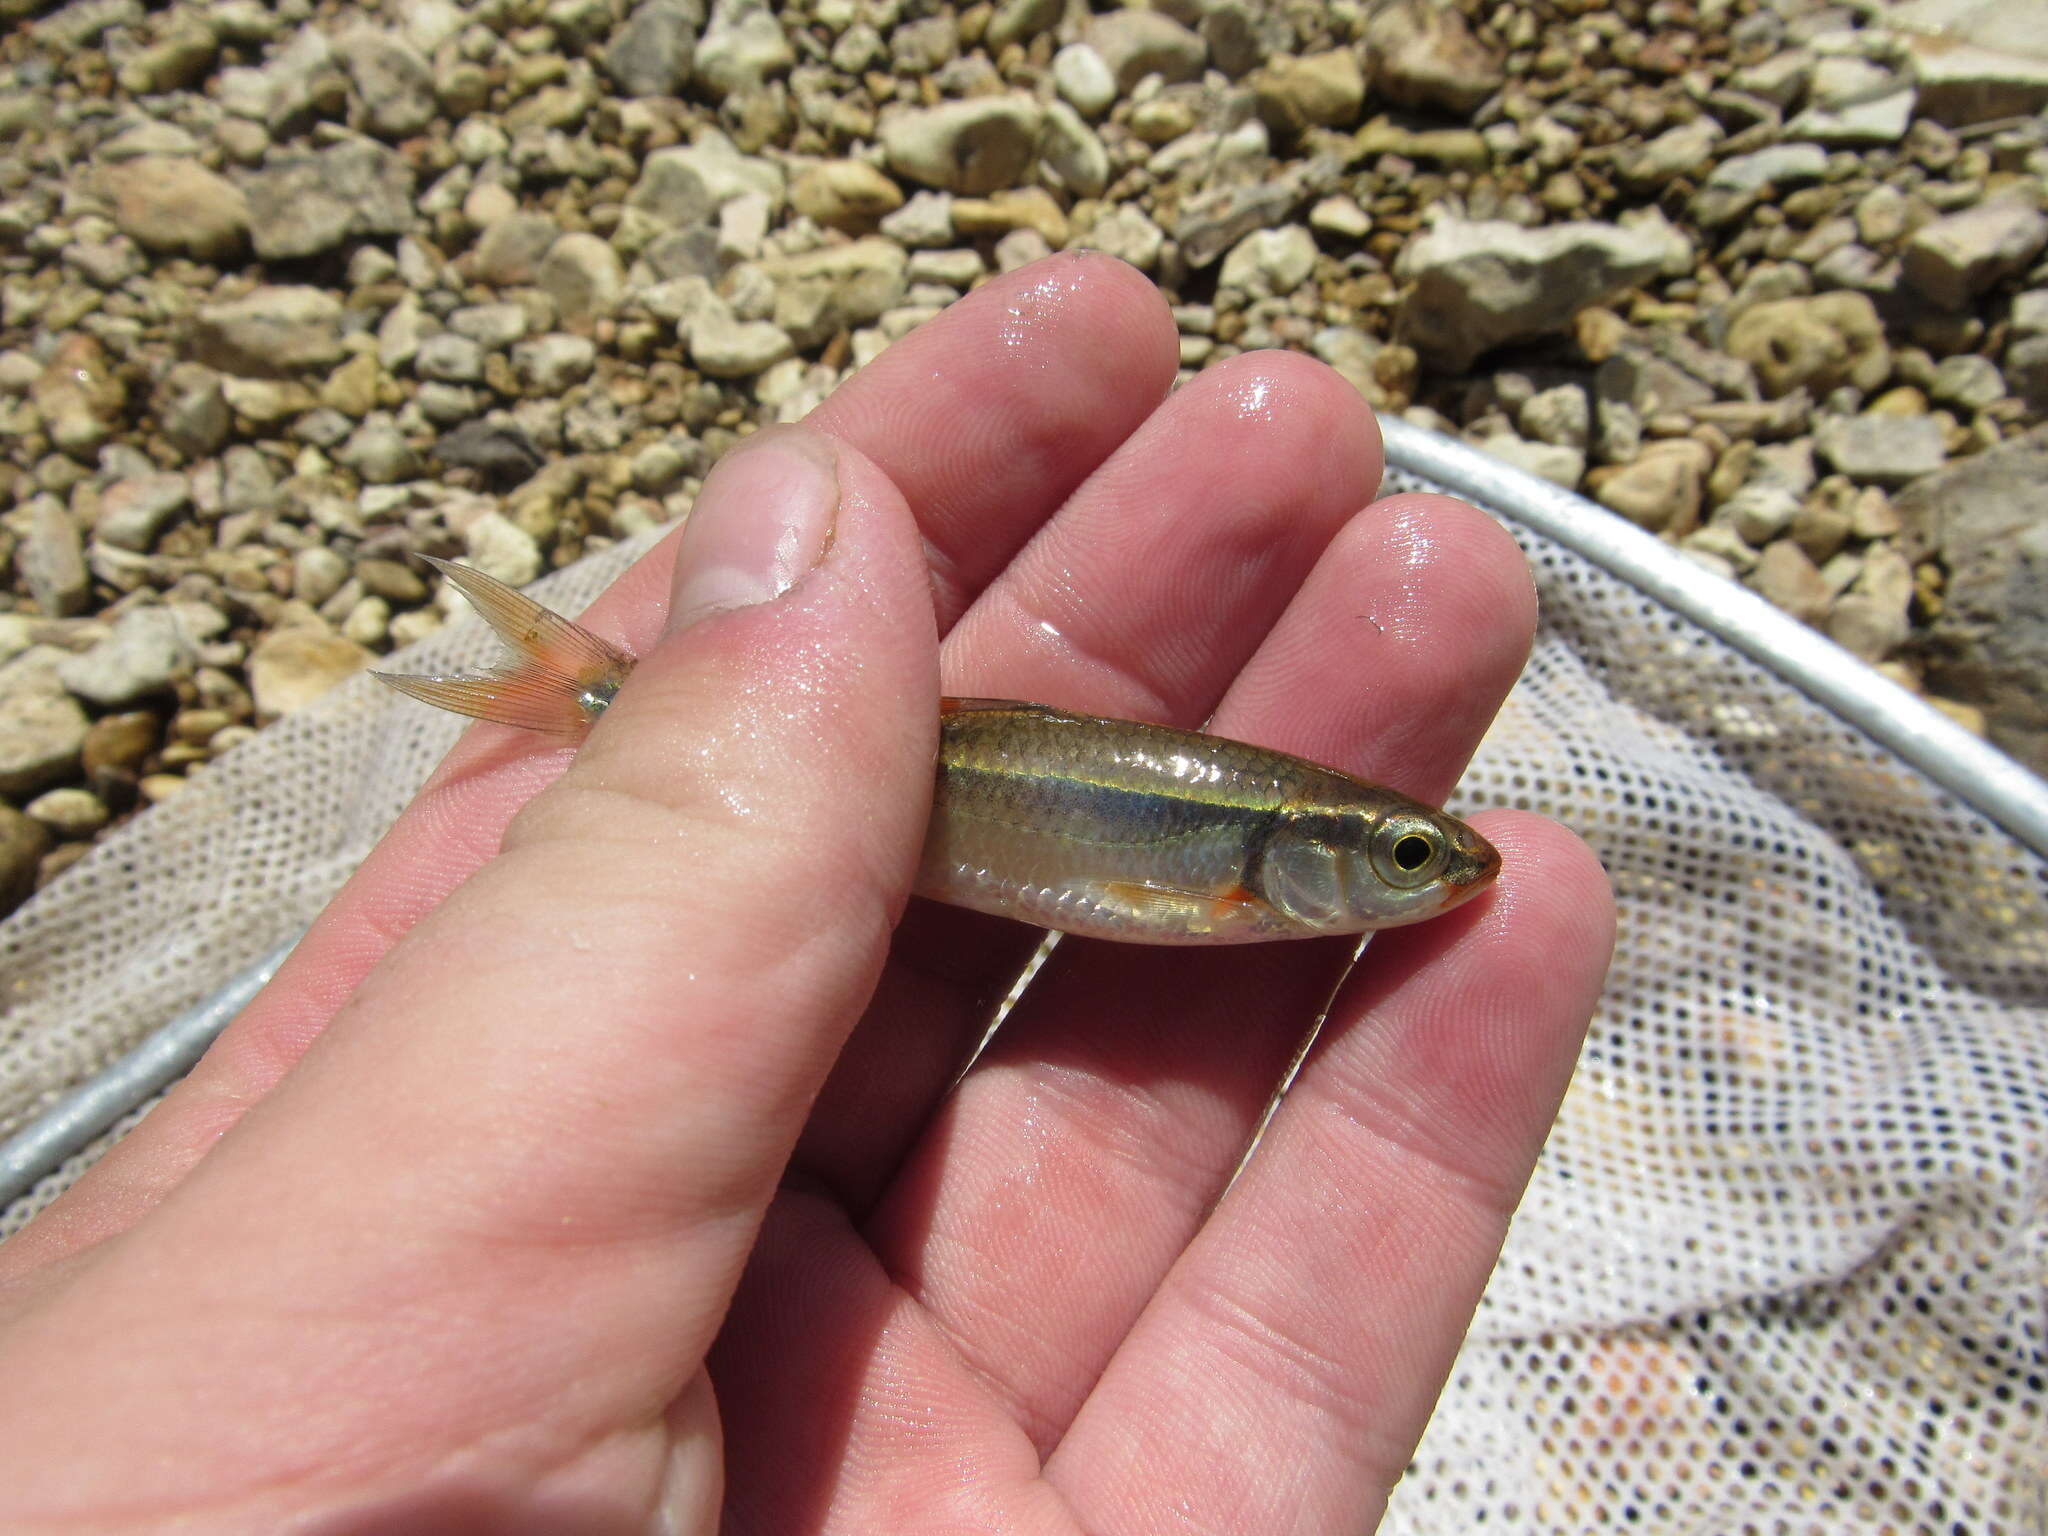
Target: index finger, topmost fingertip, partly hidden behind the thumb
(992,415)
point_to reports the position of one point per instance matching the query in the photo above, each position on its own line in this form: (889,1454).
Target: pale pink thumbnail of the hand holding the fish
(761,523)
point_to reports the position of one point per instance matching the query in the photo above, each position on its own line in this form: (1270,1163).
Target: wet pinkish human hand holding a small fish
(591,1164)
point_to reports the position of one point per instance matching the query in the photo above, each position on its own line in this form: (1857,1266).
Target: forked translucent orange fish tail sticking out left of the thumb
(560,679)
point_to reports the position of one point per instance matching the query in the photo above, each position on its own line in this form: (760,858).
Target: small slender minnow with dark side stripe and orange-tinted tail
(1099,828)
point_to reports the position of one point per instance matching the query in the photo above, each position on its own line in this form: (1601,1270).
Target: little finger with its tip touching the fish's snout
(1316,1318)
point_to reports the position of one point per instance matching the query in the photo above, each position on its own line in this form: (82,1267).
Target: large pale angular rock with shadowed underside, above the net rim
(1484,284)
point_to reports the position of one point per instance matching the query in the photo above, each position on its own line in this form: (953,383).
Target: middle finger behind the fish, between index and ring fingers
(1142,599)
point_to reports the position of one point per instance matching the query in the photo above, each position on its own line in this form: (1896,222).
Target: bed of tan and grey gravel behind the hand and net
(292,294)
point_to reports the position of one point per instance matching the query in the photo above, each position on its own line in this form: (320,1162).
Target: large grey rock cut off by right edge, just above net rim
(1990,644)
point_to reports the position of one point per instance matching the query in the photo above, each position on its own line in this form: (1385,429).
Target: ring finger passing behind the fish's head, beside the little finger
(1123,1089)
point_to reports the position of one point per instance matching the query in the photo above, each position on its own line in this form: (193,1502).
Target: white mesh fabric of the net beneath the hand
(1783,1263)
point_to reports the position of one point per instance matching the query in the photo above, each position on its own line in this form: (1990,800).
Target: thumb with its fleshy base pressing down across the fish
(552,1117)
